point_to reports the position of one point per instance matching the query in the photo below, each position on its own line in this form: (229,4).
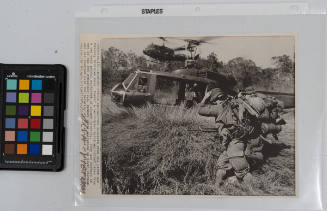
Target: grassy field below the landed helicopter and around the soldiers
(149,150)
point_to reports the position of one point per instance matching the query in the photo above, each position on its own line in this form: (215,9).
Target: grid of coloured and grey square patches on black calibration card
(29,116)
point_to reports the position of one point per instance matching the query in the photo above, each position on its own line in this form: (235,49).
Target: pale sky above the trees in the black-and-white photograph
(260,49)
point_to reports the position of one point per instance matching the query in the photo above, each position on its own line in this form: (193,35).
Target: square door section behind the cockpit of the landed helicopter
(166,91)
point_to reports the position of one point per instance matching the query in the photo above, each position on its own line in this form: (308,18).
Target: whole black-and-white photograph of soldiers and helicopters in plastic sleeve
(201,115)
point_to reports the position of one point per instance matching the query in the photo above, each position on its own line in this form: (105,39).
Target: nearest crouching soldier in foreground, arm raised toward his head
(225,110)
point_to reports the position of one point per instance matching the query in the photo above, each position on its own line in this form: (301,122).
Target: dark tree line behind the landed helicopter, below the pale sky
(117,65)
